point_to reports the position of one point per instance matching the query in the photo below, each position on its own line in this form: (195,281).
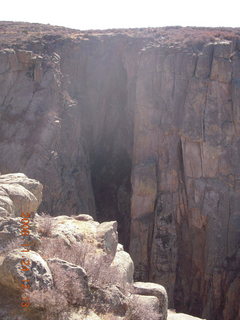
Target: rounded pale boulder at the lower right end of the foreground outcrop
(153,289)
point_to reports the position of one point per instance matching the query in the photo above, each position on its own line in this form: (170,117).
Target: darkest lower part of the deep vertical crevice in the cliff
(111,175)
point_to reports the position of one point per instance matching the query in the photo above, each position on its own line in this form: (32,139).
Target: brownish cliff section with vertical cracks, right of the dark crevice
(185,176)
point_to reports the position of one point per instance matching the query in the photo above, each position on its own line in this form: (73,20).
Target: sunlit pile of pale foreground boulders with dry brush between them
(70,268)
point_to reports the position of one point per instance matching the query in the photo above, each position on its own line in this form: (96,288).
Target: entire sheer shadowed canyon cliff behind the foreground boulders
(136,127)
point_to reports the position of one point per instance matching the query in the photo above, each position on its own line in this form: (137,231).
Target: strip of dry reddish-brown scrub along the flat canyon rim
(20,33)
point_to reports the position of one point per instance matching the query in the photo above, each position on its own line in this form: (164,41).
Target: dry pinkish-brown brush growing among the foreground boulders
(102,292)
